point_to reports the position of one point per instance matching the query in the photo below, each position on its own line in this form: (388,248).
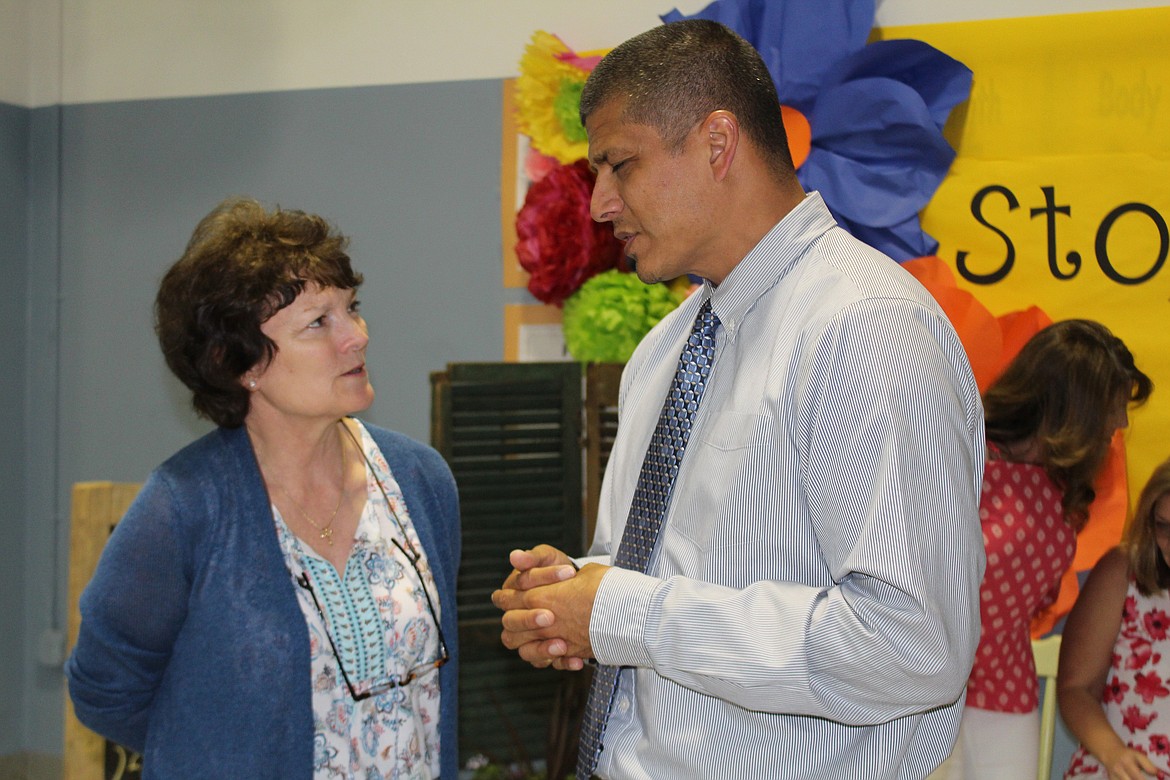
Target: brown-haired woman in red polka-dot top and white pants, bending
(1050,420)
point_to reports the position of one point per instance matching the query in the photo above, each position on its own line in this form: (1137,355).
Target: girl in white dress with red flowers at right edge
(1114,674)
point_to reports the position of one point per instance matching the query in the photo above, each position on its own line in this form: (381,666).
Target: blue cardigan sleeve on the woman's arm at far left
(132,613)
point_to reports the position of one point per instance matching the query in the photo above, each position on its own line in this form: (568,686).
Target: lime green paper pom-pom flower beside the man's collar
(611,313)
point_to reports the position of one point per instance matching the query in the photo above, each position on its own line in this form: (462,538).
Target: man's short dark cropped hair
(673,77)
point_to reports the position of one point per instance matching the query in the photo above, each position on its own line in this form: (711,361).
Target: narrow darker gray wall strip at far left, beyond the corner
(13,328)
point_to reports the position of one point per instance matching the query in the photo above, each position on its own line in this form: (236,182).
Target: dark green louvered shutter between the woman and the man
(513,437)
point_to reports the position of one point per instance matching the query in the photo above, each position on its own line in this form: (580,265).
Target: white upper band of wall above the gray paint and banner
(133,50)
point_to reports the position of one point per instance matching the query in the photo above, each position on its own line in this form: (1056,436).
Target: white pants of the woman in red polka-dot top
(994,747)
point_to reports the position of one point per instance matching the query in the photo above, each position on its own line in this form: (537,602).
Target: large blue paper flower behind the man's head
(877,111)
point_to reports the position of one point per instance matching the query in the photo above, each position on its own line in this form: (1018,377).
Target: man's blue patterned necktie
(655,482)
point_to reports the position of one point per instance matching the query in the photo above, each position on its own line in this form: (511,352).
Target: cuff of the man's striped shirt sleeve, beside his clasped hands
(617,627)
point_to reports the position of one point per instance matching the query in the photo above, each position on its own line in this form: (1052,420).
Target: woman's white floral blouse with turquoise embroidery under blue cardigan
(381,626)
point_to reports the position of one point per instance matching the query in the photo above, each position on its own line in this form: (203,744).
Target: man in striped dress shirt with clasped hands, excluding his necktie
(811,606)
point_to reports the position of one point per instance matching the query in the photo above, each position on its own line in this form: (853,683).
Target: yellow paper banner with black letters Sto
(1061,195)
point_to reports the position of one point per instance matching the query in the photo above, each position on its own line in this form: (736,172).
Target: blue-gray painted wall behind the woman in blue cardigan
(411,172)
